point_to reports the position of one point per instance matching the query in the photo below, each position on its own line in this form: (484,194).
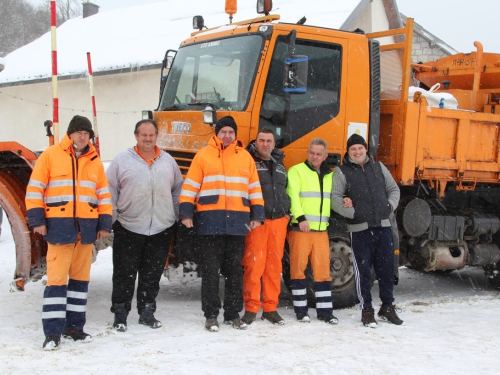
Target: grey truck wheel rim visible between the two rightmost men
(341,264)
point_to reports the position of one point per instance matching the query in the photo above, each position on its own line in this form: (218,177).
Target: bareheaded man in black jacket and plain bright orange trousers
(264,245)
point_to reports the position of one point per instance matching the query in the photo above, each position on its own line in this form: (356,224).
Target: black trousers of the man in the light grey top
(136,254)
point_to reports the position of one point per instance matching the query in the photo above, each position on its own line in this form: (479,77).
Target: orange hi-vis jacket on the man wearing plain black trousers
(224,184)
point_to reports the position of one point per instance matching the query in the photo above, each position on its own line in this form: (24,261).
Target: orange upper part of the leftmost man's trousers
(73,260)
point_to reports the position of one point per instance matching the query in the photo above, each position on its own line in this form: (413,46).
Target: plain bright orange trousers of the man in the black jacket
(262,261)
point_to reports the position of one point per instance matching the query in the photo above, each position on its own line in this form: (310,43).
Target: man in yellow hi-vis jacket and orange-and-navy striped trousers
(309,188)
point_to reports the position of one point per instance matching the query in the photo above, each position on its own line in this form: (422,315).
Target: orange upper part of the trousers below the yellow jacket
(309,245)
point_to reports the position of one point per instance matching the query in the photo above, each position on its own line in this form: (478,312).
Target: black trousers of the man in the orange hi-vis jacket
(221,254)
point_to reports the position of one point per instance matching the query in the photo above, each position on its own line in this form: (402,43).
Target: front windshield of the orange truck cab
(220,72)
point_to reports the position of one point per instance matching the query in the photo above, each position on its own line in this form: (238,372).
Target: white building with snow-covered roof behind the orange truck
(127,47)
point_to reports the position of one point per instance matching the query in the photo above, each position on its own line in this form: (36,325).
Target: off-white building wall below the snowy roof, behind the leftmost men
(120,99)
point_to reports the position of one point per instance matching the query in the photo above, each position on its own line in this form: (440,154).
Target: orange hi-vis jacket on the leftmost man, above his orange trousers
(69,194)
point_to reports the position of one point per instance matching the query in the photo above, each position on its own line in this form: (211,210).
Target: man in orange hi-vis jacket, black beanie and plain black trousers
(224,185)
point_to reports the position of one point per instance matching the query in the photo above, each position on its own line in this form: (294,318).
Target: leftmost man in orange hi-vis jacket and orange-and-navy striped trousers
(69,203)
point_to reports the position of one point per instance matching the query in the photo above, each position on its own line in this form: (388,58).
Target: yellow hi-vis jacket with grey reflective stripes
(310,194)
